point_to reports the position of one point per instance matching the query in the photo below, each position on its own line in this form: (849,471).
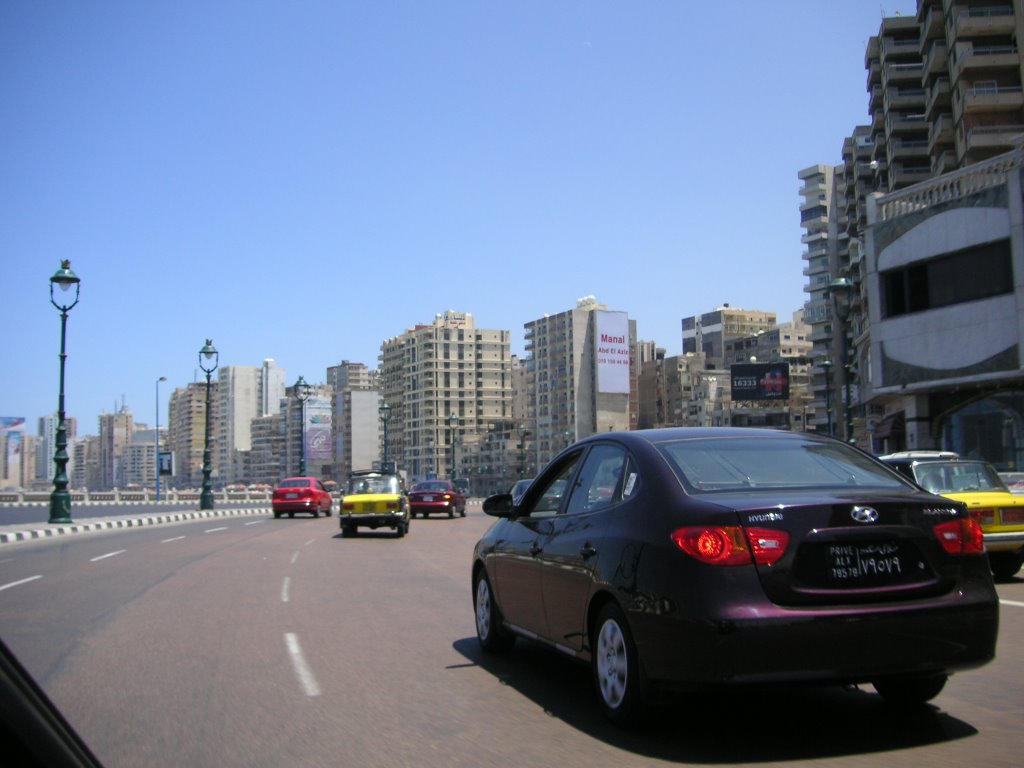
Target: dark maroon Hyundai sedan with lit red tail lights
(707,558)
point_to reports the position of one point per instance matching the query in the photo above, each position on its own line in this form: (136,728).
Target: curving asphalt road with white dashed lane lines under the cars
(258,643)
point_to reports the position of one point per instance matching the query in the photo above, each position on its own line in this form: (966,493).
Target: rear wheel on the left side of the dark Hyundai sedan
(619,676)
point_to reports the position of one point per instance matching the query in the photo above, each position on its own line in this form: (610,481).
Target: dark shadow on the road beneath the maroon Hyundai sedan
(748,727)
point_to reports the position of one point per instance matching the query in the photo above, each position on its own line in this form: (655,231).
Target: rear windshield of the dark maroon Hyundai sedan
(724,464)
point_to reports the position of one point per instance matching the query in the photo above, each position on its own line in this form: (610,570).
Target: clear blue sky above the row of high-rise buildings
(303,181)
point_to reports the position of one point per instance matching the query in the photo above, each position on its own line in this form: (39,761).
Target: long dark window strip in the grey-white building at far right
(955,279)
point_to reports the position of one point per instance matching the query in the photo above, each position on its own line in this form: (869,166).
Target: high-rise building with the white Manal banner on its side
(583,364)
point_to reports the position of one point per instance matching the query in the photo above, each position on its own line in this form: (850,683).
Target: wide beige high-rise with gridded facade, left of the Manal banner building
(445,385)
